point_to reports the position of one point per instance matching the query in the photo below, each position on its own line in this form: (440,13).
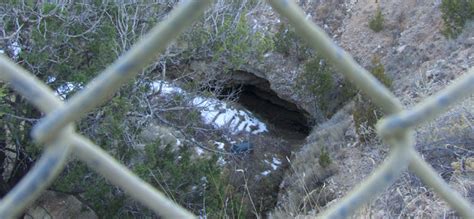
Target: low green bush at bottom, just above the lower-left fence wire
(196,183)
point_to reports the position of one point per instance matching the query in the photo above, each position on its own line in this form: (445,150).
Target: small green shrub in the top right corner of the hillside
(455,15)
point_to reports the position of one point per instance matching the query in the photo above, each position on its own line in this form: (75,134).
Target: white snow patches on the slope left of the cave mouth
(216,112)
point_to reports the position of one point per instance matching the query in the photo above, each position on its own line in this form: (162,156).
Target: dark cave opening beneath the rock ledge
(283,118)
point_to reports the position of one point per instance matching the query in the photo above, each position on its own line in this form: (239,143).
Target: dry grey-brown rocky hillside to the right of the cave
(420,61)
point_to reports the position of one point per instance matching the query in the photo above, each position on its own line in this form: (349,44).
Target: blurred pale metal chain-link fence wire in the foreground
(57,133)
